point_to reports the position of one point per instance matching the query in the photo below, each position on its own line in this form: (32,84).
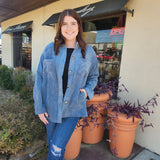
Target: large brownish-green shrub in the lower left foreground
(18,125)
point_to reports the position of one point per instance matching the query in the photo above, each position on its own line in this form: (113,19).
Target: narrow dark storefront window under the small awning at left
(22,49)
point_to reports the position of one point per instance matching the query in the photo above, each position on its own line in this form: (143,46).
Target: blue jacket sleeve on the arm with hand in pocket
(93,76)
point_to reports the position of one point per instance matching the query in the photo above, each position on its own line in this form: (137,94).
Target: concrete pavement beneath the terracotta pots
(101,151)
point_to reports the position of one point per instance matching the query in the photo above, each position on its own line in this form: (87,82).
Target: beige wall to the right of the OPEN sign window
(141,64)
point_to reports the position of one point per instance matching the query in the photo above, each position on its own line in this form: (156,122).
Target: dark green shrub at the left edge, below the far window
(6,77)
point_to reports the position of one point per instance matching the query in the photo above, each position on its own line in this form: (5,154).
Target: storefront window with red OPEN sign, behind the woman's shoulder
(106,37)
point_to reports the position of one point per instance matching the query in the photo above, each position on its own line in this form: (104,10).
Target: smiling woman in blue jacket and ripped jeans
(66,77)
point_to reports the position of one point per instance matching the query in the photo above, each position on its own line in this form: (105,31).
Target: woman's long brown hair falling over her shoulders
(59,39)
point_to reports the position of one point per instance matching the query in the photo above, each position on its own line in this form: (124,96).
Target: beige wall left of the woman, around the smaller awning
(41,35)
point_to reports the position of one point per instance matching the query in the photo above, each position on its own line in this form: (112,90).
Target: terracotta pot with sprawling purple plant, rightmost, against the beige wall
(123,119)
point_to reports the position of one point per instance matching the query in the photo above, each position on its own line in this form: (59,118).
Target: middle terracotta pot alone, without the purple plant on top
(94,131)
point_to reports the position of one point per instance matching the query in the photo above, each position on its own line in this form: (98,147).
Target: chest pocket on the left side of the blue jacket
(49,69)
